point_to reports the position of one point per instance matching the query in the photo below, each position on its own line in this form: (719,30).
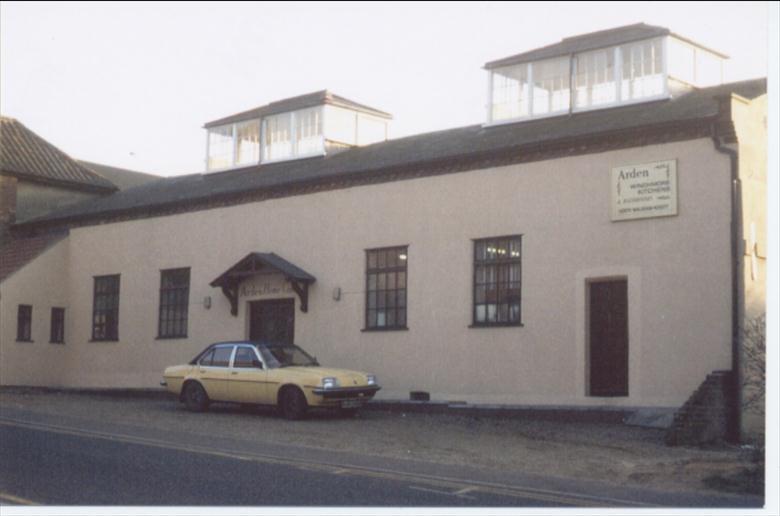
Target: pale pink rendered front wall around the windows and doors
(678,270)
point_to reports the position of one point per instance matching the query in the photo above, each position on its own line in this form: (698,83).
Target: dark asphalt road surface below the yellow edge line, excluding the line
(53,468)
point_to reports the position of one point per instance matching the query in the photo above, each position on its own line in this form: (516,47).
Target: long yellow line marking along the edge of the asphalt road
(454,484)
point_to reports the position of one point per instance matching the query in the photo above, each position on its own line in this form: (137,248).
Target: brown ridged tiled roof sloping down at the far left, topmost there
(26,155)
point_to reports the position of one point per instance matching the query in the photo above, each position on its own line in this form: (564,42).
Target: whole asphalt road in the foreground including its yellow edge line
(64,462)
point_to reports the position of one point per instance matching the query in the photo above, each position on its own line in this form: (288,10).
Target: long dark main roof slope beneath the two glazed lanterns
(417,152)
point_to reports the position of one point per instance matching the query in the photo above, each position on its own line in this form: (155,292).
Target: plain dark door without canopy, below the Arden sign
(608,338)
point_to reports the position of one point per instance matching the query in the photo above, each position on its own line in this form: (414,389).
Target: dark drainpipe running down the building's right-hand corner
(736,214)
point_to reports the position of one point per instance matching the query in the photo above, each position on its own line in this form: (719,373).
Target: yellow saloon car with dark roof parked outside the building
(267,374)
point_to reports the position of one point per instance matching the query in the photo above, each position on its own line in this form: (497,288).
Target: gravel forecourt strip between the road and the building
(615,453)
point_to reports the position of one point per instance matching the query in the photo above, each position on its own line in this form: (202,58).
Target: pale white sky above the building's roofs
(131,85)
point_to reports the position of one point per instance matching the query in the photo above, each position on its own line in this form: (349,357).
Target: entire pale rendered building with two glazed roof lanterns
(598,241)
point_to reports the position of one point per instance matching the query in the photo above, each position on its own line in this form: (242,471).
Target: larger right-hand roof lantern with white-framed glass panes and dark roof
(630,64)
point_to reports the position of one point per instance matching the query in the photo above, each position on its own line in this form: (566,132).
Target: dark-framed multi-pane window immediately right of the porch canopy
(386,288)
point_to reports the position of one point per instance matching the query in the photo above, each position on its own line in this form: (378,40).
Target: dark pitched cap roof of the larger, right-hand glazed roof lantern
(590,41)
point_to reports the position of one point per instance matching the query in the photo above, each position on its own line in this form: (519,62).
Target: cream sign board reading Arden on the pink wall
(643,191)
